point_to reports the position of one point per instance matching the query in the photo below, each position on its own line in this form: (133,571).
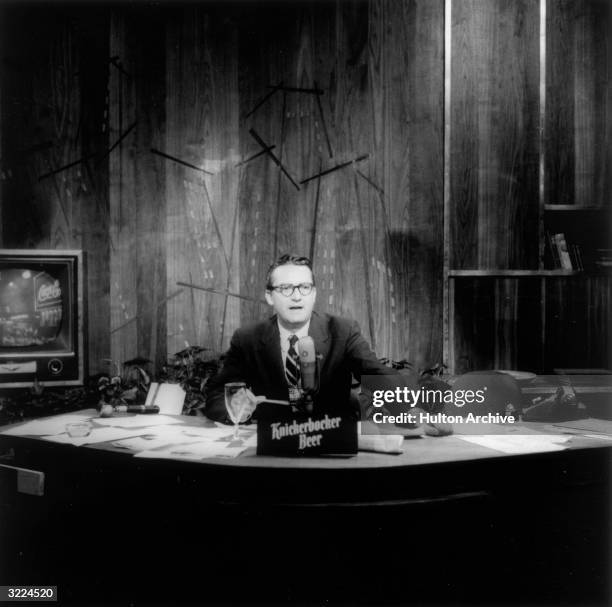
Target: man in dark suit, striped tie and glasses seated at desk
(264,355)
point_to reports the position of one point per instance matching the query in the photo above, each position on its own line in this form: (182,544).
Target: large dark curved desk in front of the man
(445,522)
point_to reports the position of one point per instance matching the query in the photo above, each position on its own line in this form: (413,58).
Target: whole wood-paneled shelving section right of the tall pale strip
(510,184)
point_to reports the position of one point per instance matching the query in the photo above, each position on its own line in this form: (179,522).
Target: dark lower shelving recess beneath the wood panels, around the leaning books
(536,319)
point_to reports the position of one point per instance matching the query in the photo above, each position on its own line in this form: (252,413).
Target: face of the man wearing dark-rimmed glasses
(296,310)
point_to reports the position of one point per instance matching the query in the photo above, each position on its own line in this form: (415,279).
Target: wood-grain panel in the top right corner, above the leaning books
(578,98)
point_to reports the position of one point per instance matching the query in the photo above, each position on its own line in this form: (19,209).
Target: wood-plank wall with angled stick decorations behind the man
(183,81)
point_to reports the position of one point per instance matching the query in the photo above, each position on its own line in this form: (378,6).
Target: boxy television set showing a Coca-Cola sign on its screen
(42,326)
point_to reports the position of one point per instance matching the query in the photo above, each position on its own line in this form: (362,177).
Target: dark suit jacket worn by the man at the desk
(255,358)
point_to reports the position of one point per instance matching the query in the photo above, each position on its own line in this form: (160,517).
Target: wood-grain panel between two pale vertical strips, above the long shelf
(494,140)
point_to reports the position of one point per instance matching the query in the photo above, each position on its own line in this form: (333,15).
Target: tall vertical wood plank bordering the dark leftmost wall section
(137,197)
